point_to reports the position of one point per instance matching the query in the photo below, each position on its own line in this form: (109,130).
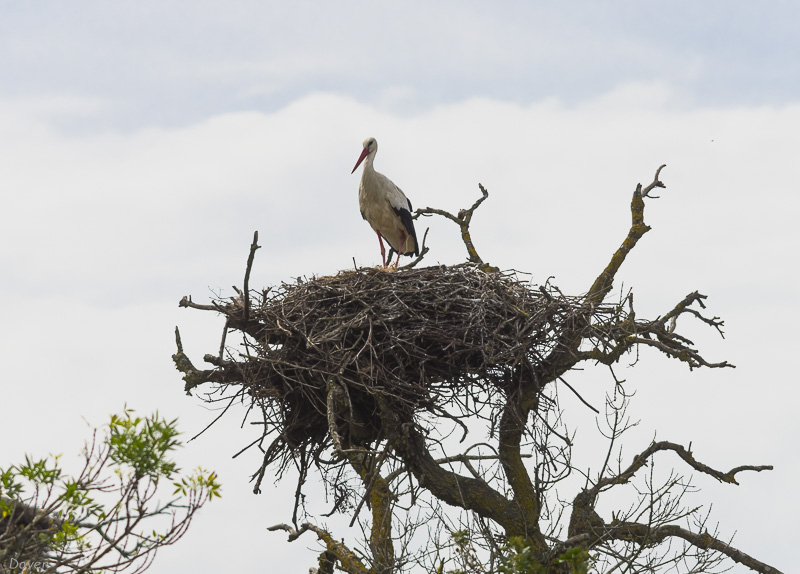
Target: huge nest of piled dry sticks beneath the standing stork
(418,340)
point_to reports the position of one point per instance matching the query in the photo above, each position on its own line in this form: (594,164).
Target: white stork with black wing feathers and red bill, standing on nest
(385,207)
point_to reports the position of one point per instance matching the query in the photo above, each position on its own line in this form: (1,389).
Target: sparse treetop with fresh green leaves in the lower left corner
(111,515)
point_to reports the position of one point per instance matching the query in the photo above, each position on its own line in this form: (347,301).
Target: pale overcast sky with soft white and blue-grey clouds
(141,144)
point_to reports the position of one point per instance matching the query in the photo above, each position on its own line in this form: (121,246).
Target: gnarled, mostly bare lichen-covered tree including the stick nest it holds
(378,382)
